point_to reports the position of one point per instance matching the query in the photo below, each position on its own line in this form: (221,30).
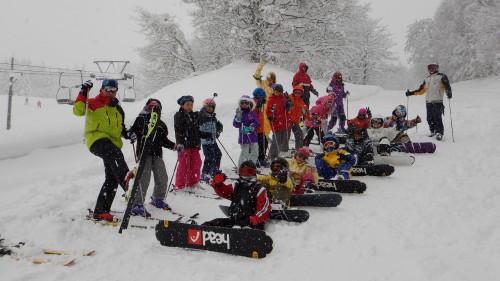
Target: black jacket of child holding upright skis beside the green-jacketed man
(140,128)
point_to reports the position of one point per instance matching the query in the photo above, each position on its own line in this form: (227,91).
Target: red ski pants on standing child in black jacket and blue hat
(188,168)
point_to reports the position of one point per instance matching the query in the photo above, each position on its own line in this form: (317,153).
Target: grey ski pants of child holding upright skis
(155,165)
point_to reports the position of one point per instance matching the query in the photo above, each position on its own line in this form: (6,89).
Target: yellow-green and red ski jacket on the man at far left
(105,119)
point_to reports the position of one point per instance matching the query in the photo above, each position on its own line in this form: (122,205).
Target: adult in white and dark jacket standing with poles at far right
(434,85)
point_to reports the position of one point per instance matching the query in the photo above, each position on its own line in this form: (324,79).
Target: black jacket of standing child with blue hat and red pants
(187,129)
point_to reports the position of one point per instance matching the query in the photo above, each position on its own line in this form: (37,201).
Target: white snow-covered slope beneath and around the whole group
(435,220)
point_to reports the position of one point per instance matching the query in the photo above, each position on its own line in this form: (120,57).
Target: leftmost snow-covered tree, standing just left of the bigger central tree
(167,56)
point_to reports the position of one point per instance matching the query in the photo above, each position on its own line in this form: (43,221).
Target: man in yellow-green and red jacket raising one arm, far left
(104,129)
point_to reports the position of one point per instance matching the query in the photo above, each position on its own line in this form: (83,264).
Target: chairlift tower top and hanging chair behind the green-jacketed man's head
(112,69)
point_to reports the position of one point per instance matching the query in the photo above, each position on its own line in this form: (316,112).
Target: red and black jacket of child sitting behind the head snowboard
(248,200)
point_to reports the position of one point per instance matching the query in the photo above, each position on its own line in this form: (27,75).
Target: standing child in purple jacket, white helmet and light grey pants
(247,122)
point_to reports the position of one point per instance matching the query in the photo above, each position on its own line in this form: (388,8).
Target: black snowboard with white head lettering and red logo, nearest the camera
(246,242)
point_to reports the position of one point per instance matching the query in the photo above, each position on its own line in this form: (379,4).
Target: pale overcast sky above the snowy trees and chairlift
(66,33)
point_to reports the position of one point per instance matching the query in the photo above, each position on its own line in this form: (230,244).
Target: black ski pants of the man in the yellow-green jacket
(115,171)
